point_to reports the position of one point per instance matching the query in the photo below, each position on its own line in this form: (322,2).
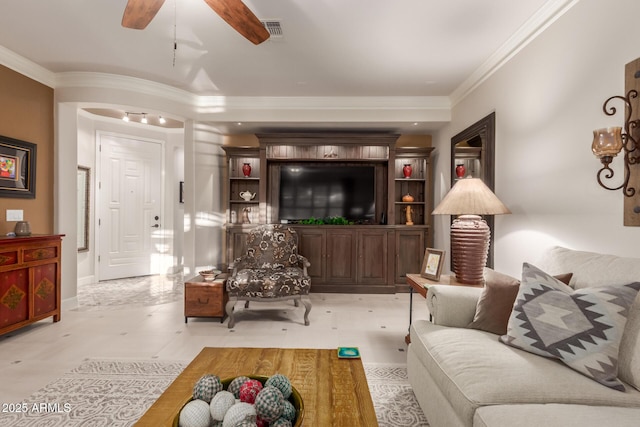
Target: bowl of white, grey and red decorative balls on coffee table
(232,400)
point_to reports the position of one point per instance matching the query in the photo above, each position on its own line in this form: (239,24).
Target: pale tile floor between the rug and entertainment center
(154,327)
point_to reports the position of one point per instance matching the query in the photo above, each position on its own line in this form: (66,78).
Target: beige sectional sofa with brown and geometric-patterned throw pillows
(506,371)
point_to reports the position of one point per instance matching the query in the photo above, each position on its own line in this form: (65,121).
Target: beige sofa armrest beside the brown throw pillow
(452,305)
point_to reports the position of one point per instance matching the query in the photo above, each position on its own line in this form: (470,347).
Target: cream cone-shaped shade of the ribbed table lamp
(470,196)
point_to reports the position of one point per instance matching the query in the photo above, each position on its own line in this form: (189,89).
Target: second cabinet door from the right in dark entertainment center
(372,257)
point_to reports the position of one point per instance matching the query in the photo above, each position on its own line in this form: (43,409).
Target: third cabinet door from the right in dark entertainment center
(341,256)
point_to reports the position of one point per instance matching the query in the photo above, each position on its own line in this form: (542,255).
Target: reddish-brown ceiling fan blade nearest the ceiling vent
(240,17)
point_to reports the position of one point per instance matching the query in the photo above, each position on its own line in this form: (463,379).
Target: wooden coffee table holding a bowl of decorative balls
(334,391)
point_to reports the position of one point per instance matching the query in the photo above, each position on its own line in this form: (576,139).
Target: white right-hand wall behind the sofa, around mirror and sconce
(547,100)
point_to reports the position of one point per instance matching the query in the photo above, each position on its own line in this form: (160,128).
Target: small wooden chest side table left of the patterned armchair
(204,298)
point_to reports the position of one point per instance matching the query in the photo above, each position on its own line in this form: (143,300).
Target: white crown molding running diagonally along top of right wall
(540,21)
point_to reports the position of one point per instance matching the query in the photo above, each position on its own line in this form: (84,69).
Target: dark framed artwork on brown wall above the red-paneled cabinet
(17,168)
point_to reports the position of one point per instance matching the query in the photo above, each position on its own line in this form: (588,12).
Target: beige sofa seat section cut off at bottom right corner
(555,415)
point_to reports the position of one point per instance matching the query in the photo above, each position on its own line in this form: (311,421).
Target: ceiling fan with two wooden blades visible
(139,13)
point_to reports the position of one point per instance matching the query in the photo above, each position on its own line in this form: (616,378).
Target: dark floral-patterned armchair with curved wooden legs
(271,270)
